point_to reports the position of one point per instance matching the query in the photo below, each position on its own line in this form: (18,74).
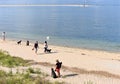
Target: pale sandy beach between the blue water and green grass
(79,65)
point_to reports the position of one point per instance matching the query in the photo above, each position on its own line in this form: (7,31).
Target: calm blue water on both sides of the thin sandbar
(94,27)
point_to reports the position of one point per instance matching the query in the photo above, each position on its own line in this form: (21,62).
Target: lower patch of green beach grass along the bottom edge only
(24,78)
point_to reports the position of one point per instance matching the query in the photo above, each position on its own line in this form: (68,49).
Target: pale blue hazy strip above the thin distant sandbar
(59,1)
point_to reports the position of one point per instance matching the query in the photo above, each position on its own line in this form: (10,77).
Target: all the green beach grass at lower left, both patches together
(29,76)
